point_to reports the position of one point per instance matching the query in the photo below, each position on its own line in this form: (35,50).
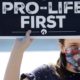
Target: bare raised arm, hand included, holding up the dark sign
(13,68)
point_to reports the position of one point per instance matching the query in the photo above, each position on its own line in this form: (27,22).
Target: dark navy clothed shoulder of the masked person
(44,72)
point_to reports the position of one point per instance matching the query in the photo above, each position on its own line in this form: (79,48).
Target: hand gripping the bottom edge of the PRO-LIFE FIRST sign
(22,43)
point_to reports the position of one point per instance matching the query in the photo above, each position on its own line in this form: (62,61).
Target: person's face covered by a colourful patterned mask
(71,49)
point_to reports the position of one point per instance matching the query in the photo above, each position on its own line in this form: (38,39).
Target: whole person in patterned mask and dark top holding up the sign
(67,67)
